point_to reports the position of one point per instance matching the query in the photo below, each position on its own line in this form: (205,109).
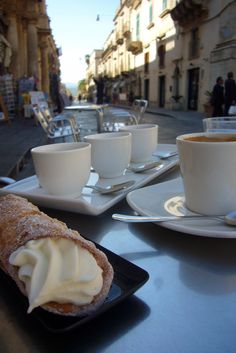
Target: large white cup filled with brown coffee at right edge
(208,169)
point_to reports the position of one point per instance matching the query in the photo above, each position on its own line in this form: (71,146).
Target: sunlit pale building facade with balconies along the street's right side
(169,52)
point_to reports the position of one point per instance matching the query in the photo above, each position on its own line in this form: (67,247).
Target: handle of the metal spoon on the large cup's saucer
(140,219)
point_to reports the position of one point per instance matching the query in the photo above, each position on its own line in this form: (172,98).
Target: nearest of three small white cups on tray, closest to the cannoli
(63,168)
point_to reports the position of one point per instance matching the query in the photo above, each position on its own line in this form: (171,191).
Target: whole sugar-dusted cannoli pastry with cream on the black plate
(52,265)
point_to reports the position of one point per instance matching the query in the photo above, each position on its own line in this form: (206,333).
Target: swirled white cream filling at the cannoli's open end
(57,270)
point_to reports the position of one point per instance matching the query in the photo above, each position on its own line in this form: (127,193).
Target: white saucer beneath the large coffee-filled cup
(167,199)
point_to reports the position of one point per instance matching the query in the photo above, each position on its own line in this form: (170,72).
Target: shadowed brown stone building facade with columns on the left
(28,53)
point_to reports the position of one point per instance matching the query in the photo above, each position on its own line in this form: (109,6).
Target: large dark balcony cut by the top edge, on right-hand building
(187,12)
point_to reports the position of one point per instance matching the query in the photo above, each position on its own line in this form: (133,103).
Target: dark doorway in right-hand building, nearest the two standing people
(193,83)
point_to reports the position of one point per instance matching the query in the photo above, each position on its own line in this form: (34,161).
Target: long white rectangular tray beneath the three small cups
(90,202)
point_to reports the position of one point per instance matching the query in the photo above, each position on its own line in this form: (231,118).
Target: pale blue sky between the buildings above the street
(76,31)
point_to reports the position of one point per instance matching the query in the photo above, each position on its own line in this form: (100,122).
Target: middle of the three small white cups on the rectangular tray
(111,153)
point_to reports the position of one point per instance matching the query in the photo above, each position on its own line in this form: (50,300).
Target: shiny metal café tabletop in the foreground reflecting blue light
(187,305)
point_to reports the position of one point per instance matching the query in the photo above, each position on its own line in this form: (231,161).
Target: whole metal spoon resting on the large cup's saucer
(229,219)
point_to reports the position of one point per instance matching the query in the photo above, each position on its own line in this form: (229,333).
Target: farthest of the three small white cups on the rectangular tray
(144,141)
